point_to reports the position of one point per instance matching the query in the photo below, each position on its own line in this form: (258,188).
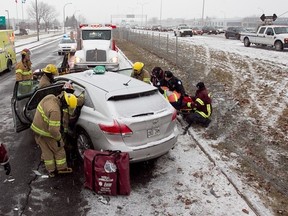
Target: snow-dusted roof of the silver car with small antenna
(112,83)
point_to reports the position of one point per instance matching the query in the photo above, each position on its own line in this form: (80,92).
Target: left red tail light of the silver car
(116,128)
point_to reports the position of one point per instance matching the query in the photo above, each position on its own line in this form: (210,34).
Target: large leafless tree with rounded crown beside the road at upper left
(46,12)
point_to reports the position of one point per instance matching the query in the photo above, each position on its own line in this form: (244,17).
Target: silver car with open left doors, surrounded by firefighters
(119,113)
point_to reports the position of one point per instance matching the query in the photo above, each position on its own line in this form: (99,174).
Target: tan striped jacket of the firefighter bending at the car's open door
(47,119)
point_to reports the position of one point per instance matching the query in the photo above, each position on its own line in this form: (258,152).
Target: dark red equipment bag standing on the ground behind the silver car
(107,172)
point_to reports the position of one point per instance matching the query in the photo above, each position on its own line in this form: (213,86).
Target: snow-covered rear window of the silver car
(144,103)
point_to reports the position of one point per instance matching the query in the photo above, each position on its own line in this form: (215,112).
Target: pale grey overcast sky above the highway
(101,11)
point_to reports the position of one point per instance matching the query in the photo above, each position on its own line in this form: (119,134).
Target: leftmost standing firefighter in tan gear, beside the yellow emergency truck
(23,68)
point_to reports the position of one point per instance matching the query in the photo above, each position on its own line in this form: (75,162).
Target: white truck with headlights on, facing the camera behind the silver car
(96,46)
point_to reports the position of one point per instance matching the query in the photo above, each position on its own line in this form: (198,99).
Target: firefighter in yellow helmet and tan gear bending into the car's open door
(46,126)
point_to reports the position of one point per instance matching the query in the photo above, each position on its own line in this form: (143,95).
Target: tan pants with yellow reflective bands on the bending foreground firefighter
(54,157)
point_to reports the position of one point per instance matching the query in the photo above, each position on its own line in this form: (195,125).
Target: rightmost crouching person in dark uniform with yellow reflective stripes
(201,105)
